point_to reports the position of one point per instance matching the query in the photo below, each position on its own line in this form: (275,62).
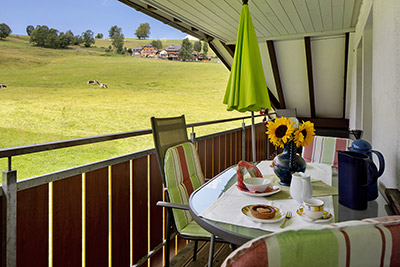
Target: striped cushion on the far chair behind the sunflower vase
(323,149)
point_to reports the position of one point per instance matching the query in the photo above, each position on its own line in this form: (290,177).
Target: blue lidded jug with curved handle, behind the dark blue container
(364,147)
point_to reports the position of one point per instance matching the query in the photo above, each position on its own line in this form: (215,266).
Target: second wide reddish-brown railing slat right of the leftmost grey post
(67,222)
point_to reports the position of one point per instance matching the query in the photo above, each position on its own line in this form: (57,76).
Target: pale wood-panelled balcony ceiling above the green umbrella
(272,19)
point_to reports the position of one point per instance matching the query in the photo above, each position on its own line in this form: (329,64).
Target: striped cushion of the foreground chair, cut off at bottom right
(371,242)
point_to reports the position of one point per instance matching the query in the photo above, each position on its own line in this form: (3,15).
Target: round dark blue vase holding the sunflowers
(288,162)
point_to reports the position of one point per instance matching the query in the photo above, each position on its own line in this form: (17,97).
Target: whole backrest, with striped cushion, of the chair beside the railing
(179,164)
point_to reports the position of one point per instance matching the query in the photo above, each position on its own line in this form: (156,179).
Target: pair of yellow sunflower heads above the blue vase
(283,130)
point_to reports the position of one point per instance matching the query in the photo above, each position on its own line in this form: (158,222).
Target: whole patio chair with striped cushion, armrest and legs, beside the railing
(181,173)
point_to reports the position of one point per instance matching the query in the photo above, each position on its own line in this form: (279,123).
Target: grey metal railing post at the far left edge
(9,223)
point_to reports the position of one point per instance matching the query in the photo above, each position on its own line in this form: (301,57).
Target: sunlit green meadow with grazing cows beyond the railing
(47,99)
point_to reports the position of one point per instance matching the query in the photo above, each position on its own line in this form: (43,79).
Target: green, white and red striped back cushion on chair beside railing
(183,175)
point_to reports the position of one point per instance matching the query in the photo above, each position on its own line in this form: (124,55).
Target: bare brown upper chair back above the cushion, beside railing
(167,132)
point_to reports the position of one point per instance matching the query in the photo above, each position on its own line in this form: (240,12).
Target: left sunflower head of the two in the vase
(280,131)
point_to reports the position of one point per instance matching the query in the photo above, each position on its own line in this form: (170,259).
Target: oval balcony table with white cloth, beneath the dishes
(205,197)
